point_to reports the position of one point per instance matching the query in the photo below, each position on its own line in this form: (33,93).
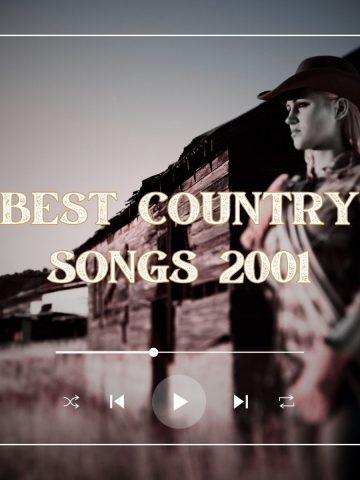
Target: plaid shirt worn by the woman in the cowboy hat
(329,307)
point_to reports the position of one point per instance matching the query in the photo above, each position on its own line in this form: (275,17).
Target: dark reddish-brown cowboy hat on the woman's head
(322,73)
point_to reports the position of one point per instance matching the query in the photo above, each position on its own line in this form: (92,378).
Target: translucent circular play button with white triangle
(179,401)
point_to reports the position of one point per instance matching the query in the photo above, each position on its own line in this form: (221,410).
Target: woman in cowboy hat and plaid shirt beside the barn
(321,319)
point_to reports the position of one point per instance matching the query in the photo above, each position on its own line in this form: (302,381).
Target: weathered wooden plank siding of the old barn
(120,314)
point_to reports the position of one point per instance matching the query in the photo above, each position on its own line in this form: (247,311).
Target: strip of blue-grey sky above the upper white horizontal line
(173,16)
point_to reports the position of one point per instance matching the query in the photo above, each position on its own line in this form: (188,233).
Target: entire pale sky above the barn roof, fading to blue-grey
(101,114)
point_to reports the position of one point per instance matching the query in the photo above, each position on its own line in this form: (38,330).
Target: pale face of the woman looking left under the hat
(312,121)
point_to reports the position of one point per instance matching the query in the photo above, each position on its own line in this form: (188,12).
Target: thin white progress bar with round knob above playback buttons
(154,352)
